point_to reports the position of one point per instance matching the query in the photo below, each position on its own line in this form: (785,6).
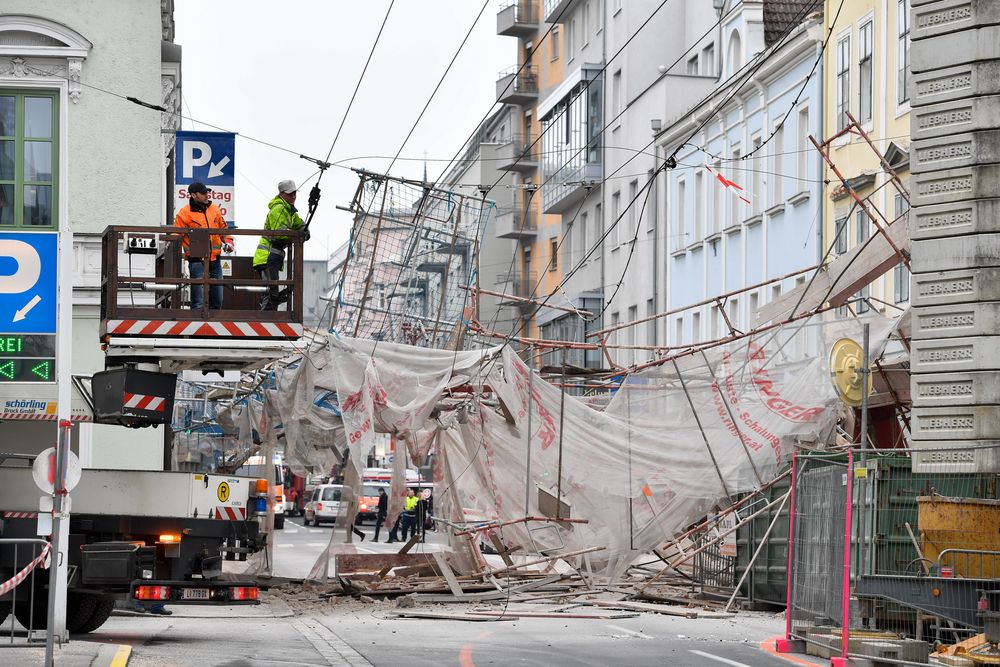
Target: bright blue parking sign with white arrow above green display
(28,266)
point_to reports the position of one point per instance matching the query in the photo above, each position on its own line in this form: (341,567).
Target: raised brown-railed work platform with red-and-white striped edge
(146,296)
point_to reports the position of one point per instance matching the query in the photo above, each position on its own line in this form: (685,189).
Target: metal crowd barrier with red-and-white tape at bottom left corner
(23,593)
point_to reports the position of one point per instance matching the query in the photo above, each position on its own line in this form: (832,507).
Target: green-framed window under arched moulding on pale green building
(28,157)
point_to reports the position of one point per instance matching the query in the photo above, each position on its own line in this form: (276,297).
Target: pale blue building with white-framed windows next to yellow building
(744,202)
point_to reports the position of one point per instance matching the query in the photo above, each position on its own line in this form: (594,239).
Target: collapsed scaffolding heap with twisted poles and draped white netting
(701,430)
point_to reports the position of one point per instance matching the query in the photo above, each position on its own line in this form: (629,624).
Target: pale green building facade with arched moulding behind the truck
(77,159)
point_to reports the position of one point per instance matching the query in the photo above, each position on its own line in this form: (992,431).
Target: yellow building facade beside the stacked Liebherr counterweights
(866,74)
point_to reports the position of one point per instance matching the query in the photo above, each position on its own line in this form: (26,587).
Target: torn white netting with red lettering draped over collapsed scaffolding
(674,441)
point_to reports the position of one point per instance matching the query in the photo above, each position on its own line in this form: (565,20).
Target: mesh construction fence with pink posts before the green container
(901,548)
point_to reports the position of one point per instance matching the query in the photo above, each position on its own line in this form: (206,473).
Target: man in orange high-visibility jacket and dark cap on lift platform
(203,214)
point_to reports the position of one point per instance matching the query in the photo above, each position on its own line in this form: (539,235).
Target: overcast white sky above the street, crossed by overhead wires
(284,72)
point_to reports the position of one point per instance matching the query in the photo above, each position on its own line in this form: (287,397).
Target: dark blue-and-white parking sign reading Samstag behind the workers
(208,157)
